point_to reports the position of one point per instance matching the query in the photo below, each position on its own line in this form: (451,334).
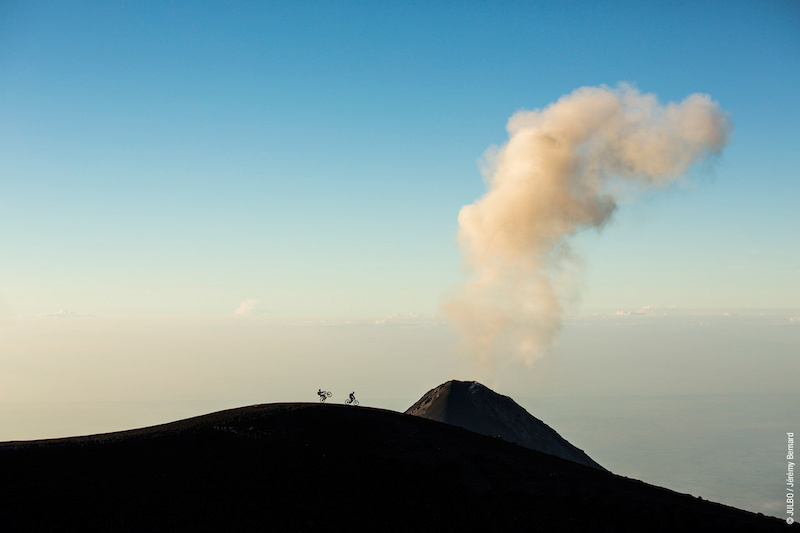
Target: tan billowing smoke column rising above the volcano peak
(559,173)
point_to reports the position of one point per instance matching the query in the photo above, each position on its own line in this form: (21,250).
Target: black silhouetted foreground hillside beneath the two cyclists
(310,467)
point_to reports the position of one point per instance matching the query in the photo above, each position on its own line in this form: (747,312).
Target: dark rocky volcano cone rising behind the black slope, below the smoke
(473,406)
